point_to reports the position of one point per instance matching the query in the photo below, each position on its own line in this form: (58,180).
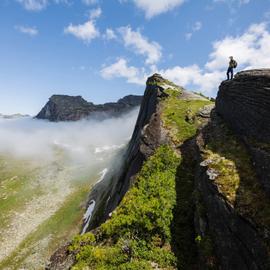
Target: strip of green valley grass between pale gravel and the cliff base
(60,227)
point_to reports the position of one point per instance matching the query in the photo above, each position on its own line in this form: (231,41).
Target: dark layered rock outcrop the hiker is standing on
(245,104)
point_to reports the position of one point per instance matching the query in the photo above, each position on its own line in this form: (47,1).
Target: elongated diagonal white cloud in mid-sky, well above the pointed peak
(140,44)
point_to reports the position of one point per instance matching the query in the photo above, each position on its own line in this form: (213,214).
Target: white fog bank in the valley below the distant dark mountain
(81,141)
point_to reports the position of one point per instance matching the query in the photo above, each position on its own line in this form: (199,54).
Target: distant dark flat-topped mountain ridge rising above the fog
(73,108)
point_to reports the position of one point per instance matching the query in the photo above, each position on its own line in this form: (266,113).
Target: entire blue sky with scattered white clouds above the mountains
(104,50)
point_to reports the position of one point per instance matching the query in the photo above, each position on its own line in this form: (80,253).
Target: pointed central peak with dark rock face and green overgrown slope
(168,116)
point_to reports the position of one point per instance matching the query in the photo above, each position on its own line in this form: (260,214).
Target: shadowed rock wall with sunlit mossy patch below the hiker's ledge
(231,207)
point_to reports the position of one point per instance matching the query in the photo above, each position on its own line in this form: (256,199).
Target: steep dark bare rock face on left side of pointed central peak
(147,136)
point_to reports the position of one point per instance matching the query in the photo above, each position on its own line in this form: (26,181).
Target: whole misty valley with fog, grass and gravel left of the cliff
(43,166)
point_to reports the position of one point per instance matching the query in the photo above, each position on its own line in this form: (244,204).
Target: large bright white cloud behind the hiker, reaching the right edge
(251,50)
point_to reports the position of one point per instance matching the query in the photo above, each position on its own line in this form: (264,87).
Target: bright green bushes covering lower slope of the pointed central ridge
(138,234)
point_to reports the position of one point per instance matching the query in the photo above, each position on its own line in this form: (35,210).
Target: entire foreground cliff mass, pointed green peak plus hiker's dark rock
(187,194)
